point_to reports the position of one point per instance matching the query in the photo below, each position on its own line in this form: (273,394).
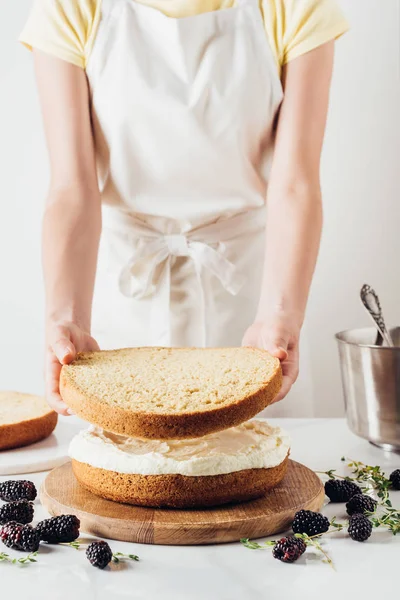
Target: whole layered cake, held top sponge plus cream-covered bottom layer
(170,427)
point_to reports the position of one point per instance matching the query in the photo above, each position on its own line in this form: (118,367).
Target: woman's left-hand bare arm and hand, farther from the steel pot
(72,218)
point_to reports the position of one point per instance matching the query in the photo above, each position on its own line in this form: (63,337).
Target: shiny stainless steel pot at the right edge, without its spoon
(371,386)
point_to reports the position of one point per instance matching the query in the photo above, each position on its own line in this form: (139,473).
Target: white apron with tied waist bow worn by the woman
(183,119)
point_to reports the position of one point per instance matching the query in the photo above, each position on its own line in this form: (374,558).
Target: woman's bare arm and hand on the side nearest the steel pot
(294,207)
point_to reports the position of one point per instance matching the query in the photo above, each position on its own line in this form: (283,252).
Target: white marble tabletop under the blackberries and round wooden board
(229,571)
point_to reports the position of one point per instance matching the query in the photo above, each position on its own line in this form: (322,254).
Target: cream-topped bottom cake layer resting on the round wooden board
(238,464)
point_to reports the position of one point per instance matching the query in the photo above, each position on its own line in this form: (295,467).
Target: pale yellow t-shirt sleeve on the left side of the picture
(62,28)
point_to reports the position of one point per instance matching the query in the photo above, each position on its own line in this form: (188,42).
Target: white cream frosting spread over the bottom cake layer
(252,445)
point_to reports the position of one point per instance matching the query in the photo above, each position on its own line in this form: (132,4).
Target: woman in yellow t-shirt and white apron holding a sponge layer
(184,120)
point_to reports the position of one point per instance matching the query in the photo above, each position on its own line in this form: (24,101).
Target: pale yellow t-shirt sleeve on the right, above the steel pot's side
(298,26)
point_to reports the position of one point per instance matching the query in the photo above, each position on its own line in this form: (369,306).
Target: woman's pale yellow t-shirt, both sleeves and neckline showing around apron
(67,28)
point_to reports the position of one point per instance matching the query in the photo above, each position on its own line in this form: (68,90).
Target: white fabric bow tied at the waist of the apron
(148,269)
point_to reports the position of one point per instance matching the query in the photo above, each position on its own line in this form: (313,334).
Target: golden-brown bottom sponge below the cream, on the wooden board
(179,491)
